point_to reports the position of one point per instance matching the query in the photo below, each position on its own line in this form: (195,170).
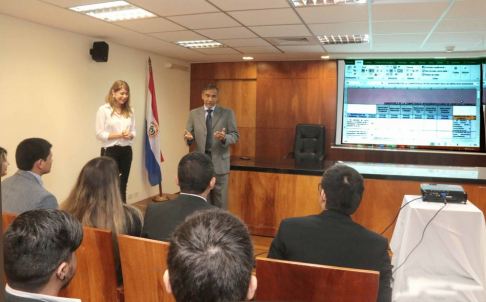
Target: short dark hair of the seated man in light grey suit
(31,150)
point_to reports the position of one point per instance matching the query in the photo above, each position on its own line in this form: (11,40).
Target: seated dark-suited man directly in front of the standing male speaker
(195,178)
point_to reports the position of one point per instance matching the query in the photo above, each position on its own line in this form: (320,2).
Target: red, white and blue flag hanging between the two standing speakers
(153,156)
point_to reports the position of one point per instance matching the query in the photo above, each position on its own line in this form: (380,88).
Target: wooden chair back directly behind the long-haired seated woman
(95,278)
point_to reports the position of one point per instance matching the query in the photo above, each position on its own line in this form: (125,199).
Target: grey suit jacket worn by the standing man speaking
(222,118)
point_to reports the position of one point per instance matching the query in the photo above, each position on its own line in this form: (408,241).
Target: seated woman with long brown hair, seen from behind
(96,201)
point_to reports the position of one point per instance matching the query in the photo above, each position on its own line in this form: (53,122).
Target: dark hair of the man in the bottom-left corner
(35,244)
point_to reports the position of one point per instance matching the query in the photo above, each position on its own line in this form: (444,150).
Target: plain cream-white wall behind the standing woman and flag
(51,88)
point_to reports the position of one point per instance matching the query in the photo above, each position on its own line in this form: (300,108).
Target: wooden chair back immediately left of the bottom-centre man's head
(144,262)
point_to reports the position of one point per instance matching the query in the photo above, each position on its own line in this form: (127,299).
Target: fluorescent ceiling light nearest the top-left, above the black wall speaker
(113,11)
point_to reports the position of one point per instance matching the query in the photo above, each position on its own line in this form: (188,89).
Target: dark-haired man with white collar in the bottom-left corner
(39,255)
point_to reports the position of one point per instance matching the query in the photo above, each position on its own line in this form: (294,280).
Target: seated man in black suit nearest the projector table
(332,238)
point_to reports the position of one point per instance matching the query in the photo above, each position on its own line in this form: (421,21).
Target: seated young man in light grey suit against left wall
(24,190)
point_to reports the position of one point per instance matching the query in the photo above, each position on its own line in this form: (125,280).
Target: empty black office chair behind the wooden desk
(309,143)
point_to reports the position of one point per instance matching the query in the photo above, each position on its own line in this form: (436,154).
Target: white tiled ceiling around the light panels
(397,28)
